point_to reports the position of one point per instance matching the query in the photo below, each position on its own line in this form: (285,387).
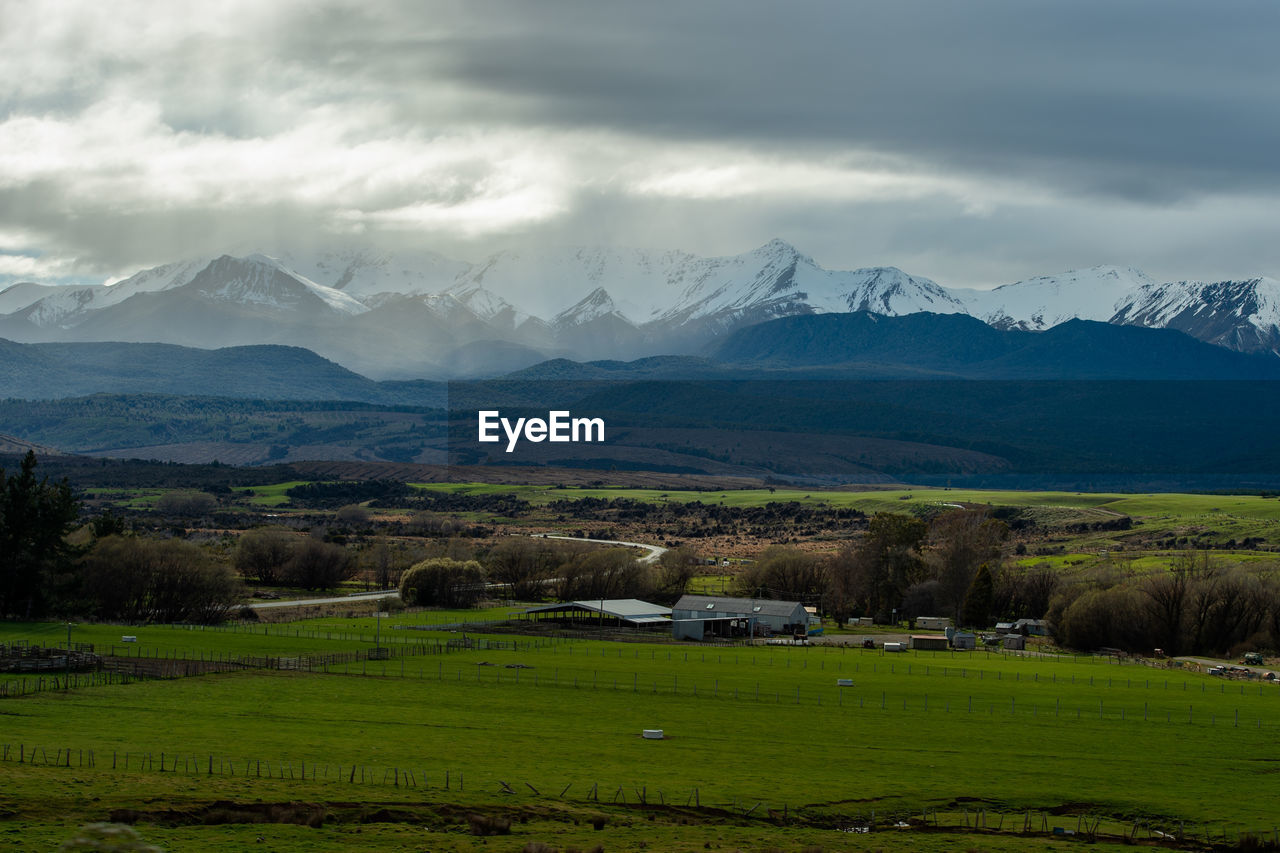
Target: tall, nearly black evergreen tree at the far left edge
(35,519)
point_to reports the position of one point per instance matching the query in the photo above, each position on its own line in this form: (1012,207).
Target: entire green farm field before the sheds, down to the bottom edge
(1057,742)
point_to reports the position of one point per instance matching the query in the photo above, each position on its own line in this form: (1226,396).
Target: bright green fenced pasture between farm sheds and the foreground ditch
(1130,742)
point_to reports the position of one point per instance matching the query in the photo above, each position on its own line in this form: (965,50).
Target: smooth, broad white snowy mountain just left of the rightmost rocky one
(1043,303)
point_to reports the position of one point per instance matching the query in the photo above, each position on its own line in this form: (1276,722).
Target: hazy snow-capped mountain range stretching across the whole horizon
(426,316)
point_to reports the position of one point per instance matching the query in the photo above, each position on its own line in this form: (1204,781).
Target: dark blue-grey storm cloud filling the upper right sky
(1148,101)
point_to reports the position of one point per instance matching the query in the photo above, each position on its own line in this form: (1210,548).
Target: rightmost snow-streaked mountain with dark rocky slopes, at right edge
(1237,316)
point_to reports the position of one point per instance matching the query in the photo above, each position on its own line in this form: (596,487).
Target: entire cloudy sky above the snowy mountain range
(976,144)
